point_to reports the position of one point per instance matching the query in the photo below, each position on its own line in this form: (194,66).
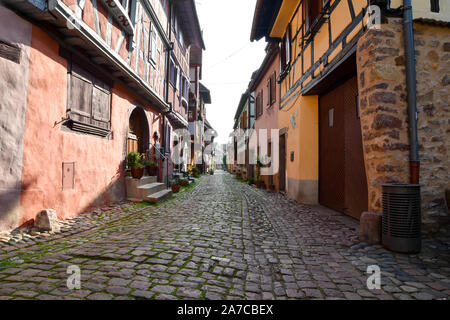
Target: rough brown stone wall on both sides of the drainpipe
(383,110)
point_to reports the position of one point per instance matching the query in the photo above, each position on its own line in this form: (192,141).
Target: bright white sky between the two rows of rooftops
(229,58)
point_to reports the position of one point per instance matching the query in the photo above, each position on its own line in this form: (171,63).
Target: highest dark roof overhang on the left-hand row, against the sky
(188,18)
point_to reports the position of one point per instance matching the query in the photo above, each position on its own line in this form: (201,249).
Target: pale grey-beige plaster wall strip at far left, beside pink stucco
(13,94)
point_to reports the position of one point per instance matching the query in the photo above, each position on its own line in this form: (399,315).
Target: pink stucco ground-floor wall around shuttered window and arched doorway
(99,171)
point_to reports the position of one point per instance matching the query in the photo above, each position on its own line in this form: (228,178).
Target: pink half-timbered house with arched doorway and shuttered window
(83,83)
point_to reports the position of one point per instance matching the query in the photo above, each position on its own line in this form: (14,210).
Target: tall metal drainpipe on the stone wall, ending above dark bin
(414,162)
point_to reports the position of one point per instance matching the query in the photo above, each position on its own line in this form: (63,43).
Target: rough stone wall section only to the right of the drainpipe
(432,45)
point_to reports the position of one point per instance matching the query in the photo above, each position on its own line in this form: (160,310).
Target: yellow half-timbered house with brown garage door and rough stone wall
(347,102)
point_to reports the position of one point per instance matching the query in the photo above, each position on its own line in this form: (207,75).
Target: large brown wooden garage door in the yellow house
(342,176)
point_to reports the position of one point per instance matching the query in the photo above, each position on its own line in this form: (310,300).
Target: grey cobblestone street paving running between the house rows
(221,240)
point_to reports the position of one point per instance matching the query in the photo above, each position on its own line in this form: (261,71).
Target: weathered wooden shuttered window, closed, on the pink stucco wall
(88,102)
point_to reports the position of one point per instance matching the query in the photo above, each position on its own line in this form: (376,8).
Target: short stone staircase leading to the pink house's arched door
(146,189)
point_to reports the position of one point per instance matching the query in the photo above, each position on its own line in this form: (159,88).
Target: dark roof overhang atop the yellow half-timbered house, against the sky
(264,17)
